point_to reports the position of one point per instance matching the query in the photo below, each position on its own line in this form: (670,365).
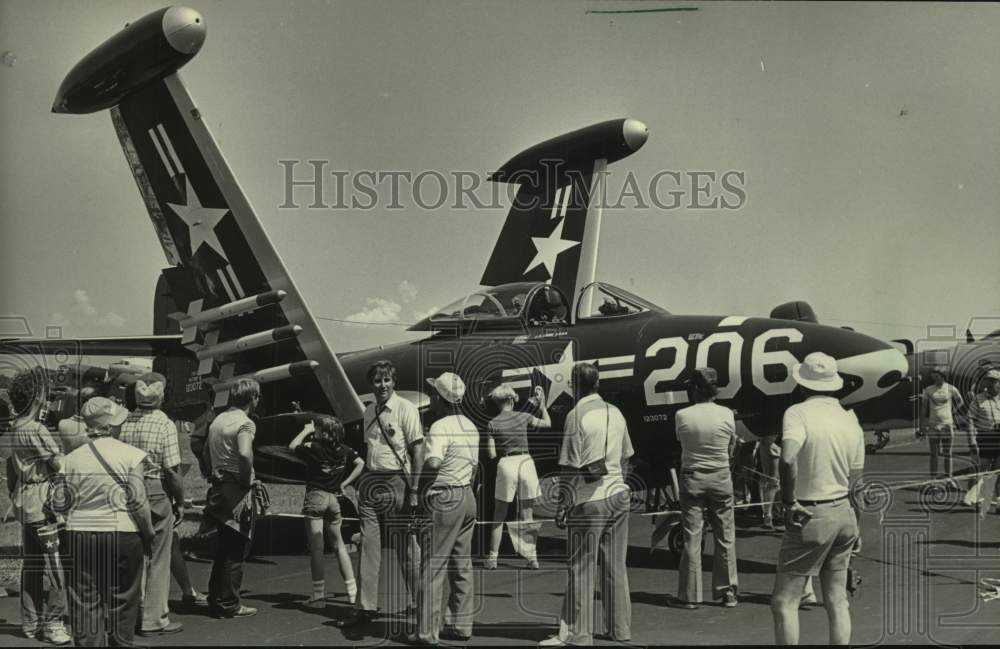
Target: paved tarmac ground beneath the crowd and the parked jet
(923,556)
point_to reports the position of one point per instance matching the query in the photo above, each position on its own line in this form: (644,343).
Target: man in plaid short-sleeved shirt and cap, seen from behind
(150,430)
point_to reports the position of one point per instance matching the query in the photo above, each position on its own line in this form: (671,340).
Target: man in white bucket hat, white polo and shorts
(822,456)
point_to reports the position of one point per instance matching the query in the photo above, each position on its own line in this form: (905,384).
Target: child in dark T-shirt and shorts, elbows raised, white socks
(331,467)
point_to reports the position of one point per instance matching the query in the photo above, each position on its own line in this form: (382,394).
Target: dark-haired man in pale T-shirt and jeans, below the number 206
(707,434)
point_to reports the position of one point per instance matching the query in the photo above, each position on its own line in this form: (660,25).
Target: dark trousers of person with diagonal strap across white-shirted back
(103,586)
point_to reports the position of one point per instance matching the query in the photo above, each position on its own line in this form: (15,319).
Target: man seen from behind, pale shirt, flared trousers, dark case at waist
(594,510)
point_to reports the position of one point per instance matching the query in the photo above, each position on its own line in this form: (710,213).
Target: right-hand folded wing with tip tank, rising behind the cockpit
(552,230)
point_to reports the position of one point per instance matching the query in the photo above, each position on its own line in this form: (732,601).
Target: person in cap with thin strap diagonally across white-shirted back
(106,533)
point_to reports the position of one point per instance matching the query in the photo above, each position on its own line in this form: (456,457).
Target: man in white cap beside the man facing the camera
(450,461)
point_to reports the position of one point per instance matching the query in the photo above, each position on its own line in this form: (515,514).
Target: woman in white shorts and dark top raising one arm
(516,476)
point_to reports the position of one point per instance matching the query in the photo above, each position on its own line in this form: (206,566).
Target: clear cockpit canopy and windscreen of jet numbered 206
(533,304)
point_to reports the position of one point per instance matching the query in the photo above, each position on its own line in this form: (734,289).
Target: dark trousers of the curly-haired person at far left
(41,564)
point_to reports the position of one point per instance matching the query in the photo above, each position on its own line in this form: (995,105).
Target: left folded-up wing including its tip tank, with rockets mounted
(242,315)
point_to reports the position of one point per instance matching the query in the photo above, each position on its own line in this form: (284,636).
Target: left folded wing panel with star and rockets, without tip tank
(238,307)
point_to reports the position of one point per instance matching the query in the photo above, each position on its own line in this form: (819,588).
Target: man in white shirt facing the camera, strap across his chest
(394,439)
